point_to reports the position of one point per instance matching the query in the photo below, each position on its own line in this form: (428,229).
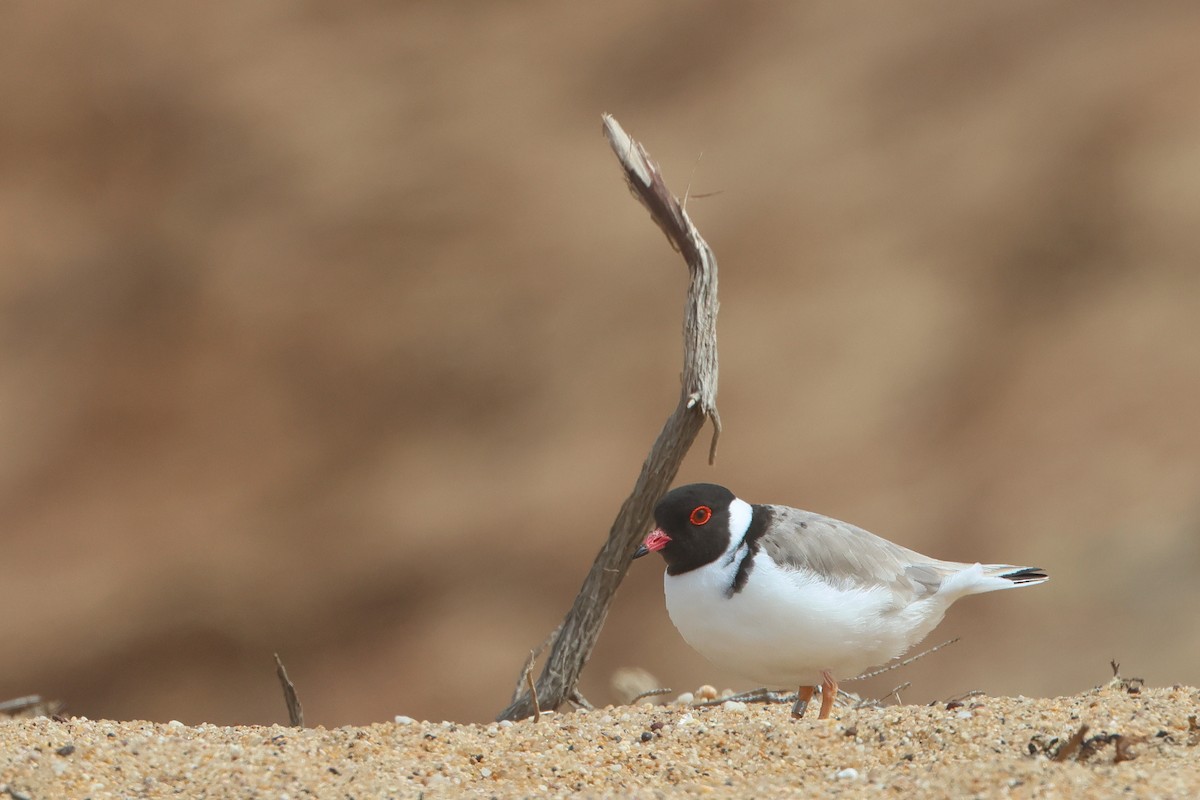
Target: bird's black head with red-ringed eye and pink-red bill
(693,527)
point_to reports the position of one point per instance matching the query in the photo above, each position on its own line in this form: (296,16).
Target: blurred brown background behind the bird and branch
(331,330)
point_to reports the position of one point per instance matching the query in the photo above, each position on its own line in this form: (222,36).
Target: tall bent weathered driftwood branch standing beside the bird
(698,402)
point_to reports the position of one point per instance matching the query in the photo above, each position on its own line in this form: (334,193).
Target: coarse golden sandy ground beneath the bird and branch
(1142,744)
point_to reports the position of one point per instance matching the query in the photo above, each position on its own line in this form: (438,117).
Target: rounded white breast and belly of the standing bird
(785,628)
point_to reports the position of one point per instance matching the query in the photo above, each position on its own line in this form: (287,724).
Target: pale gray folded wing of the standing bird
(849,557)
